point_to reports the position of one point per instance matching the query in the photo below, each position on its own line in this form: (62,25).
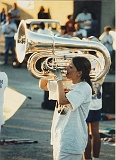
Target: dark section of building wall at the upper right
(104,10)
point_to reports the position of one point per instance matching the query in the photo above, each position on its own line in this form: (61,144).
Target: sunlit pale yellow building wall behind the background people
(29,8)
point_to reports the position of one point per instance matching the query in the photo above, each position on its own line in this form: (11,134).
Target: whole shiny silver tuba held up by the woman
(46,53)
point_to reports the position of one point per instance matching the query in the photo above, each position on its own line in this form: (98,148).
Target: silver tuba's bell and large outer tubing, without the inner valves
(44,46)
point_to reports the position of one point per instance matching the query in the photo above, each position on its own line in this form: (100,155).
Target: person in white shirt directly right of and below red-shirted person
(79,32)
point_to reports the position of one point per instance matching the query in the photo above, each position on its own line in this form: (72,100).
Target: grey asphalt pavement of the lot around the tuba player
(32,123)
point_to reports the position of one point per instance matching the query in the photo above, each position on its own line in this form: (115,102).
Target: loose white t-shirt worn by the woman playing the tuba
(69,131)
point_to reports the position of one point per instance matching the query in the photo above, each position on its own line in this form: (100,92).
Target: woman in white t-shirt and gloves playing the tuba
(69,129)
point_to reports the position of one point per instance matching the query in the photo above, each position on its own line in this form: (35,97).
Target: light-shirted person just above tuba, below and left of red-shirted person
(63,33)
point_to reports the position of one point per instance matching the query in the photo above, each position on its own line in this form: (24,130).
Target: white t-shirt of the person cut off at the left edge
(3,85)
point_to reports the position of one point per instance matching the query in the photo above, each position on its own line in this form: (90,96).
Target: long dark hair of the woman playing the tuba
(84,65)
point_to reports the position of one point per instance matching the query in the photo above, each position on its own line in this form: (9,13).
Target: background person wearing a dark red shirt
(70,28)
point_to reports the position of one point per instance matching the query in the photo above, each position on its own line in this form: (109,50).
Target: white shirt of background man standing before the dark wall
(83,17)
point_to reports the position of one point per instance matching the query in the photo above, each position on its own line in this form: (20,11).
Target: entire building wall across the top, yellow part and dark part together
(60,9)
